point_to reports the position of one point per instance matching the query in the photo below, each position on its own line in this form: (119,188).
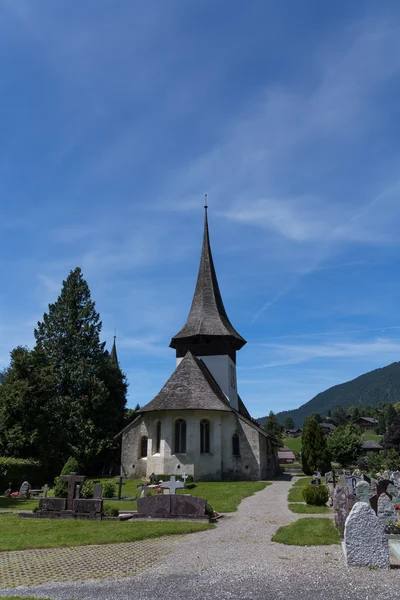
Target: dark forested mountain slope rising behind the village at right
(380,385)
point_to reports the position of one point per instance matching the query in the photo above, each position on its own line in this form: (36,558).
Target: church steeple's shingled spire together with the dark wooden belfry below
(207,330)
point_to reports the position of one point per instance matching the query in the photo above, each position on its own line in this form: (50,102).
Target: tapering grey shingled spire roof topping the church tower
(207,316)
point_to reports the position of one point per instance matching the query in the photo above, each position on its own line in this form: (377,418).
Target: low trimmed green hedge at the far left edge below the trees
(18,470)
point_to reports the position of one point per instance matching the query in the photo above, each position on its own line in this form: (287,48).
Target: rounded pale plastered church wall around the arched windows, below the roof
(254,462)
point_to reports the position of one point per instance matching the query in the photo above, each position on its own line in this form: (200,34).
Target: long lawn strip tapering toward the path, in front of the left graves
(22,534)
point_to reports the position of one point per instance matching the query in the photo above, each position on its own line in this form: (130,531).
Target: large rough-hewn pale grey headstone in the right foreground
(365,543)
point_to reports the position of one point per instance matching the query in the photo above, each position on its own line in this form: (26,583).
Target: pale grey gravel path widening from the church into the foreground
(238,560)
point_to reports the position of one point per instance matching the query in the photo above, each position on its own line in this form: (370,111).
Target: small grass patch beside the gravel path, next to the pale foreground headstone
(308,532)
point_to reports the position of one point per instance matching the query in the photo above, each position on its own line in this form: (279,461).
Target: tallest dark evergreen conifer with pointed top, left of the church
(90,387)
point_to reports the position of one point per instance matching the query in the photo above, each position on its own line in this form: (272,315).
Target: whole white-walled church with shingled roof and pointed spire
(197,424)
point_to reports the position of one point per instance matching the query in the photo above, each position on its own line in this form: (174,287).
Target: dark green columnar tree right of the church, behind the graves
(314,451)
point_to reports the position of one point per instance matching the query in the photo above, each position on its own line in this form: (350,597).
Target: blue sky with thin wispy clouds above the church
(116,117)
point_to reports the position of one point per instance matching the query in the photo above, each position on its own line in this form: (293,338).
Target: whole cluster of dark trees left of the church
(65,397)
